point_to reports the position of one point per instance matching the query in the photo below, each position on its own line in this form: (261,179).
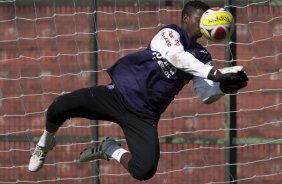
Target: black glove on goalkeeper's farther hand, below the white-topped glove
(230,86)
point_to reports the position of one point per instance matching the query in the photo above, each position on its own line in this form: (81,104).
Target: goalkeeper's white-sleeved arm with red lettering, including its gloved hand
(167,43)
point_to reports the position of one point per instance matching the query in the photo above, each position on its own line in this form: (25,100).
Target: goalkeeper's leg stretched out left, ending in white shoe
(91,103)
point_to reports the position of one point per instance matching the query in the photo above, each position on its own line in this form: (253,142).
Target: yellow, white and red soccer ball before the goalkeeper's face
(217,24)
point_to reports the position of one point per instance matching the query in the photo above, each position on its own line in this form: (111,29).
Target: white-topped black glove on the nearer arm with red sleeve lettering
(221,75)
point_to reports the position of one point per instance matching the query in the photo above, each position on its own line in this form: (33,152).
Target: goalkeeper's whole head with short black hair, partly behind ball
(191,15)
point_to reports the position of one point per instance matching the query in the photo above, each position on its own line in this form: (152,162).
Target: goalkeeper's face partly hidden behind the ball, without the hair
(192,24)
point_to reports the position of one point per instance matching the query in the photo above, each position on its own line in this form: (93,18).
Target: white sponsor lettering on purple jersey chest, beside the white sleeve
(167,68)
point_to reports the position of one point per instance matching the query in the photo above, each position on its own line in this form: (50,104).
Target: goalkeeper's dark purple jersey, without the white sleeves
(147,81)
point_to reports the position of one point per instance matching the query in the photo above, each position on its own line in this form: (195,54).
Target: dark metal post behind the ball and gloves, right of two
(230,175)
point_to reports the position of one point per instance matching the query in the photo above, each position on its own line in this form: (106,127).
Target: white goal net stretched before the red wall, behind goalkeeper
(48,48)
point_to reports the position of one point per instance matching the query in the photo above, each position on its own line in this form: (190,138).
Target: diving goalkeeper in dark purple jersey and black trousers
(143,85)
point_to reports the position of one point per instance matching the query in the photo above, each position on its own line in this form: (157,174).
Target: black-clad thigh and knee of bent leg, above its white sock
(143,143)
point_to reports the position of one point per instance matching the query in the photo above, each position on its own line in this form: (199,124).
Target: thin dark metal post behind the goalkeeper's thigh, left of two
(93,77)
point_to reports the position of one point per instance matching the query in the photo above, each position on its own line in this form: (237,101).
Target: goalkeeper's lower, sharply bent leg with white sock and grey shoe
(142,139)
